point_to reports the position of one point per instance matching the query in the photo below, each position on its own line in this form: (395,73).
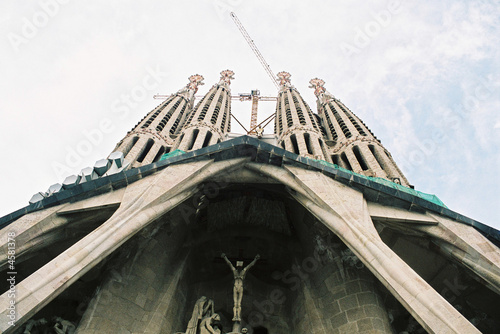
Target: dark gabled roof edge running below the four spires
(260,152)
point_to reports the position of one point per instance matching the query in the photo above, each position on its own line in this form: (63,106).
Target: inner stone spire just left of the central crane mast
(210,120)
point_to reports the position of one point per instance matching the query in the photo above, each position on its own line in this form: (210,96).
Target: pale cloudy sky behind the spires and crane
(75,76)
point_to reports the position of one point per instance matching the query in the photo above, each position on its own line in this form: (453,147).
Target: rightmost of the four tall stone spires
(352,145)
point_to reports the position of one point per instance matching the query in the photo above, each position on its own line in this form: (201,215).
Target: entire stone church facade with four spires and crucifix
(188,228)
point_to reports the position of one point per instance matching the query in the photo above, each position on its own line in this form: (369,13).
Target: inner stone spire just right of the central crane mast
(295,123)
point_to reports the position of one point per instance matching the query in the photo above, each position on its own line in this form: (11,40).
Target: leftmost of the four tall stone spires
(154,135)
